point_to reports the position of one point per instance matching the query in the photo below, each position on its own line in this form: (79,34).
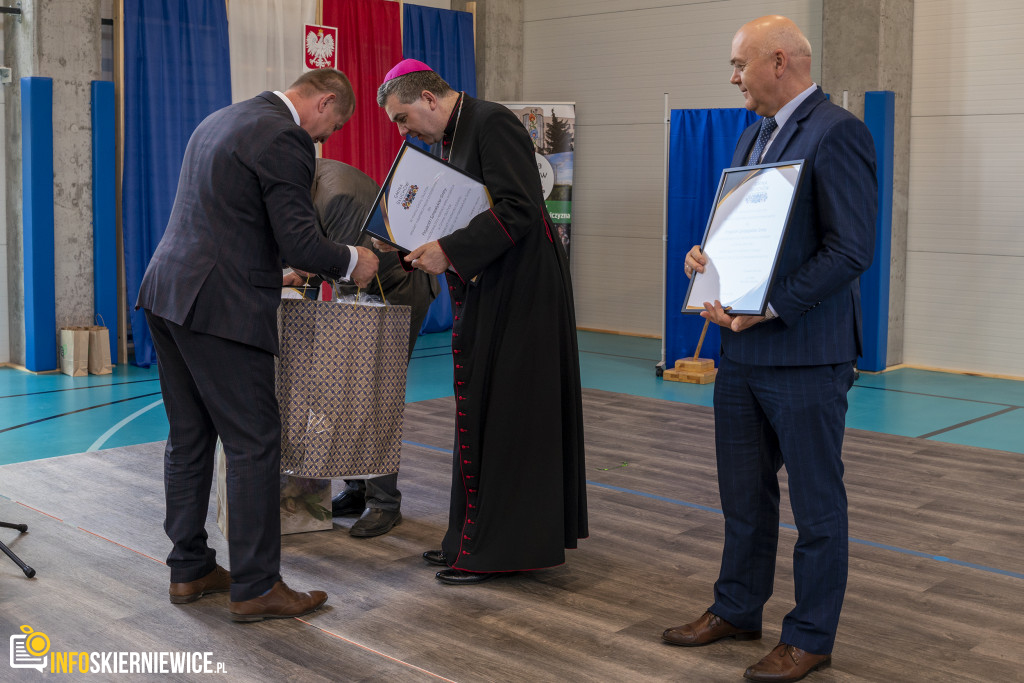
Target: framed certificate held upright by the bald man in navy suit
(745,237)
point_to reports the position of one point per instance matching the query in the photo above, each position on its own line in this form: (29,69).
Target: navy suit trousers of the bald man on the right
(767,417)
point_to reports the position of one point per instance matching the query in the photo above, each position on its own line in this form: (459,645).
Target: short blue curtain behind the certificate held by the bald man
(702,143)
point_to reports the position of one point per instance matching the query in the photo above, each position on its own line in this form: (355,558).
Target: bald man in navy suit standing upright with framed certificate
(781,396)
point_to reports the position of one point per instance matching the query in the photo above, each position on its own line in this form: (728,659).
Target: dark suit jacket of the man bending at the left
(243,206)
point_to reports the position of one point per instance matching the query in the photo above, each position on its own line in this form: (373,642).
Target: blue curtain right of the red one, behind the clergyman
(443,39)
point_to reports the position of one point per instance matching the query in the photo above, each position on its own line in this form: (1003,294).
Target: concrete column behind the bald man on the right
(868,46)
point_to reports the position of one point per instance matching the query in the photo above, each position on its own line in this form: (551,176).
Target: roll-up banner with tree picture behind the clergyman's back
(552,127)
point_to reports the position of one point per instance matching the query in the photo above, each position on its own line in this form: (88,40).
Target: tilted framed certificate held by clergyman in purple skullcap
(423,199)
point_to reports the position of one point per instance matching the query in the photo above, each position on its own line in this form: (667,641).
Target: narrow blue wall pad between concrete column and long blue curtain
(105,242)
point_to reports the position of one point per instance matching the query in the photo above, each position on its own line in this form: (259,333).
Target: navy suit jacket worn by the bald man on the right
(831,241)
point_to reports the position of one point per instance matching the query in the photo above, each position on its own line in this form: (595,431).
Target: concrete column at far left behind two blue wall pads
(62,40)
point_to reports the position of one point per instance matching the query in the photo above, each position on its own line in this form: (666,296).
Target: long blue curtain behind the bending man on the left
(177,73)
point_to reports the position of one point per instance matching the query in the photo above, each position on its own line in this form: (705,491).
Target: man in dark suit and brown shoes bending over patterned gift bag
(211,294)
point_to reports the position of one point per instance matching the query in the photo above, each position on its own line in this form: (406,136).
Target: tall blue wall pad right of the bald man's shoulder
(880,115)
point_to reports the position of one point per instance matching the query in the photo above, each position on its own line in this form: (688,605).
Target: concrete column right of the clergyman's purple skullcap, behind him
(499,49)
